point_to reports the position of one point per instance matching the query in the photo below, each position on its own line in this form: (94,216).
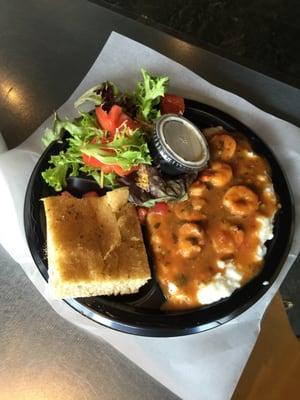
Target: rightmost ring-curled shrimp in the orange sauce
(240,200)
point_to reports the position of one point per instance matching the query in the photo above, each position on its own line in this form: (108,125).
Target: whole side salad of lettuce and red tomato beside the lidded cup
(110,142)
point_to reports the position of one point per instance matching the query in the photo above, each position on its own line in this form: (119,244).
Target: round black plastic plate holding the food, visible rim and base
(140,314)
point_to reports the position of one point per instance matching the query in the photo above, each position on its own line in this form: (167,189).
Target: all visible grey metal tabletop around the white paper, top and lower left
(46,47)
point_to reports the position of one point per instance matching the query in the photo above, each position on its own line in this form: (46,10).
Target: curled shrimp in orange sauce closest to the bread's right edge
(190,240)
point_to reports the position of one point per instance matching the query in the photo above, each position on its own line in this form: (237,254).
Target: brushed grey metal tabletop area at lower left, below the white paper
(44,357)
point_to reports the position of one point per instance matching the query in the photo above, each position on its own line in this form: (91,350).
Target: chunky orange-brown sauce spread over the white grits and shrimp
(217,233)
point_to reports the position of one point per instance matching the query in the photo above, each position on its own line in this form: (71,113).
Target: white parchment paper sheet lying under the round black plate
(201,366)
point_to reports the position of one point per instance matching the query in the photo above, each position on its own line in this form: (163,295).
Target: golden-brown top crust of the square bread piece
(88,242)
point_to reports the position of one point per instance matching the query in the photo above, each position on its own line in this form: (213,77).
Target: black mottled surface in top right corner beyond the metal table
(261,34)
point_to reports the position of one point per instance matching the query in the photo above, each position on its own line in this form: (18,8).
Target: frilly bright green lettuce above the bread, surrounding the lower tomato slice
(126,149)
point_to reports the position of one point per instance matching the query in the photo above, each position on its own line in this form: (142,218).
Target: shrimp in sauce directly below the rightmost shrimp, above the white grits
(226,238)
